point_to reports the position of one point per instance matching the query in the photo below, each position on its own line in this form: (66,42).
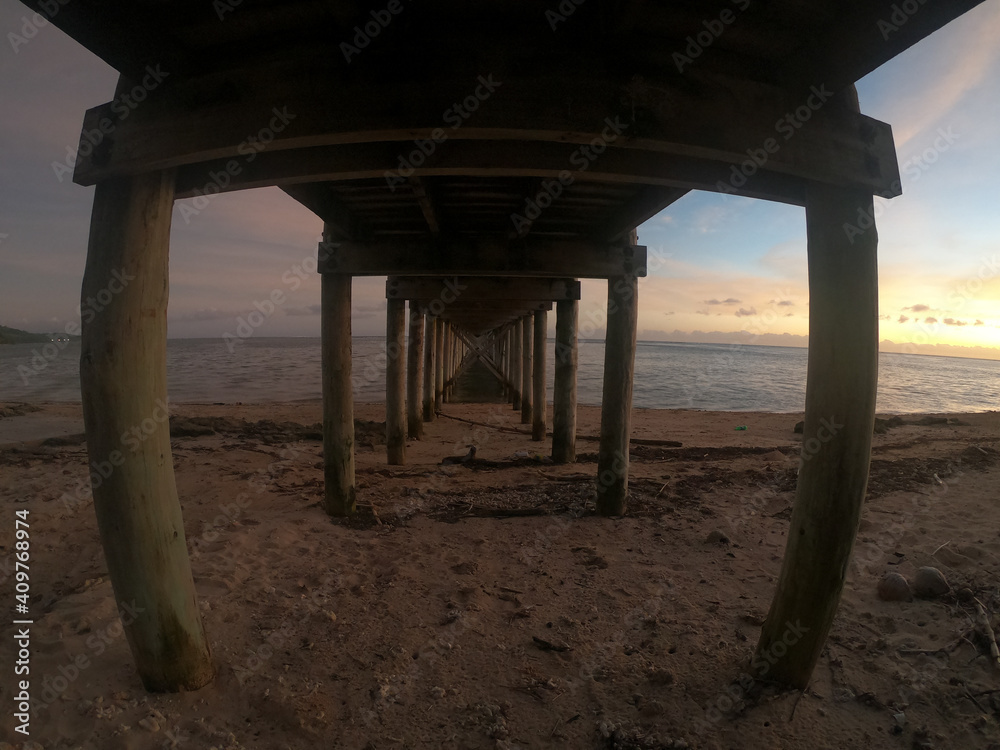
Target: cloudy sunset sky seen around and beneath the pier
(725,269)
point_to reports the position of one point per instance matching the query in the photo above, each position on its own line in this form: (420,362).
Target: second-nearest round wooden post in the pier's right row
(616,405)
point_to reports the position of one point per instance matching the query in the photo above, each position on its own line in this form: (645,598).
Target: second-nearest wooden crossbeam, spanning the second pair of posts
(483,256)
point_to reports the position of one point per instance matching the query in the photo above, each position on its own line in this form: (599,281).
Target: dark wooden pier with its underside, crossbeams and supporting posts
(483,158)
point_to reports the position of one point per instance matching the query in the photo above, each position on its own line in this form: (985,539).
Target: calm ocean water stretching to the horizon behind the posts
(667,376)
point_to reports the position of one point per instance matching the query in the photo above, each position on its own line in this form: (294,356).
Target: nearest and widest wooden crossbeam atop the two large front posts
(349,133)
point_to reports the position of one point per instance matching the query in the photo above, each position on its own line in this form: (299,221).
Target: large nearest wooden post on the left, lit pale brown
(123,375)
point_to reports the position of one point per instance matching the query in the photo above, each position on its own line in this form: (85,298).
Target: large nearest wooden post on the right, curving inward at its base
(836,441)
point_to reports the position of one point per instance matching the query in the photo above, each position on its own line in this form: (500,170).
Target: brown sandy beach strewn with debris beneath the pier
(484,605)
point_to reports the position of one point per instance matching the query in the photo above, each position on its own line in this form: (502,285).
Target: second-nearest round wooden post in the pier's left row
(338,396)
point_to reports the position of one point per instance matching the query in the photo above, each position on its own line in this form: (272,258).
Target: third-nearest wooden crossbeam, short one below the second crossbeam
(456,290)
